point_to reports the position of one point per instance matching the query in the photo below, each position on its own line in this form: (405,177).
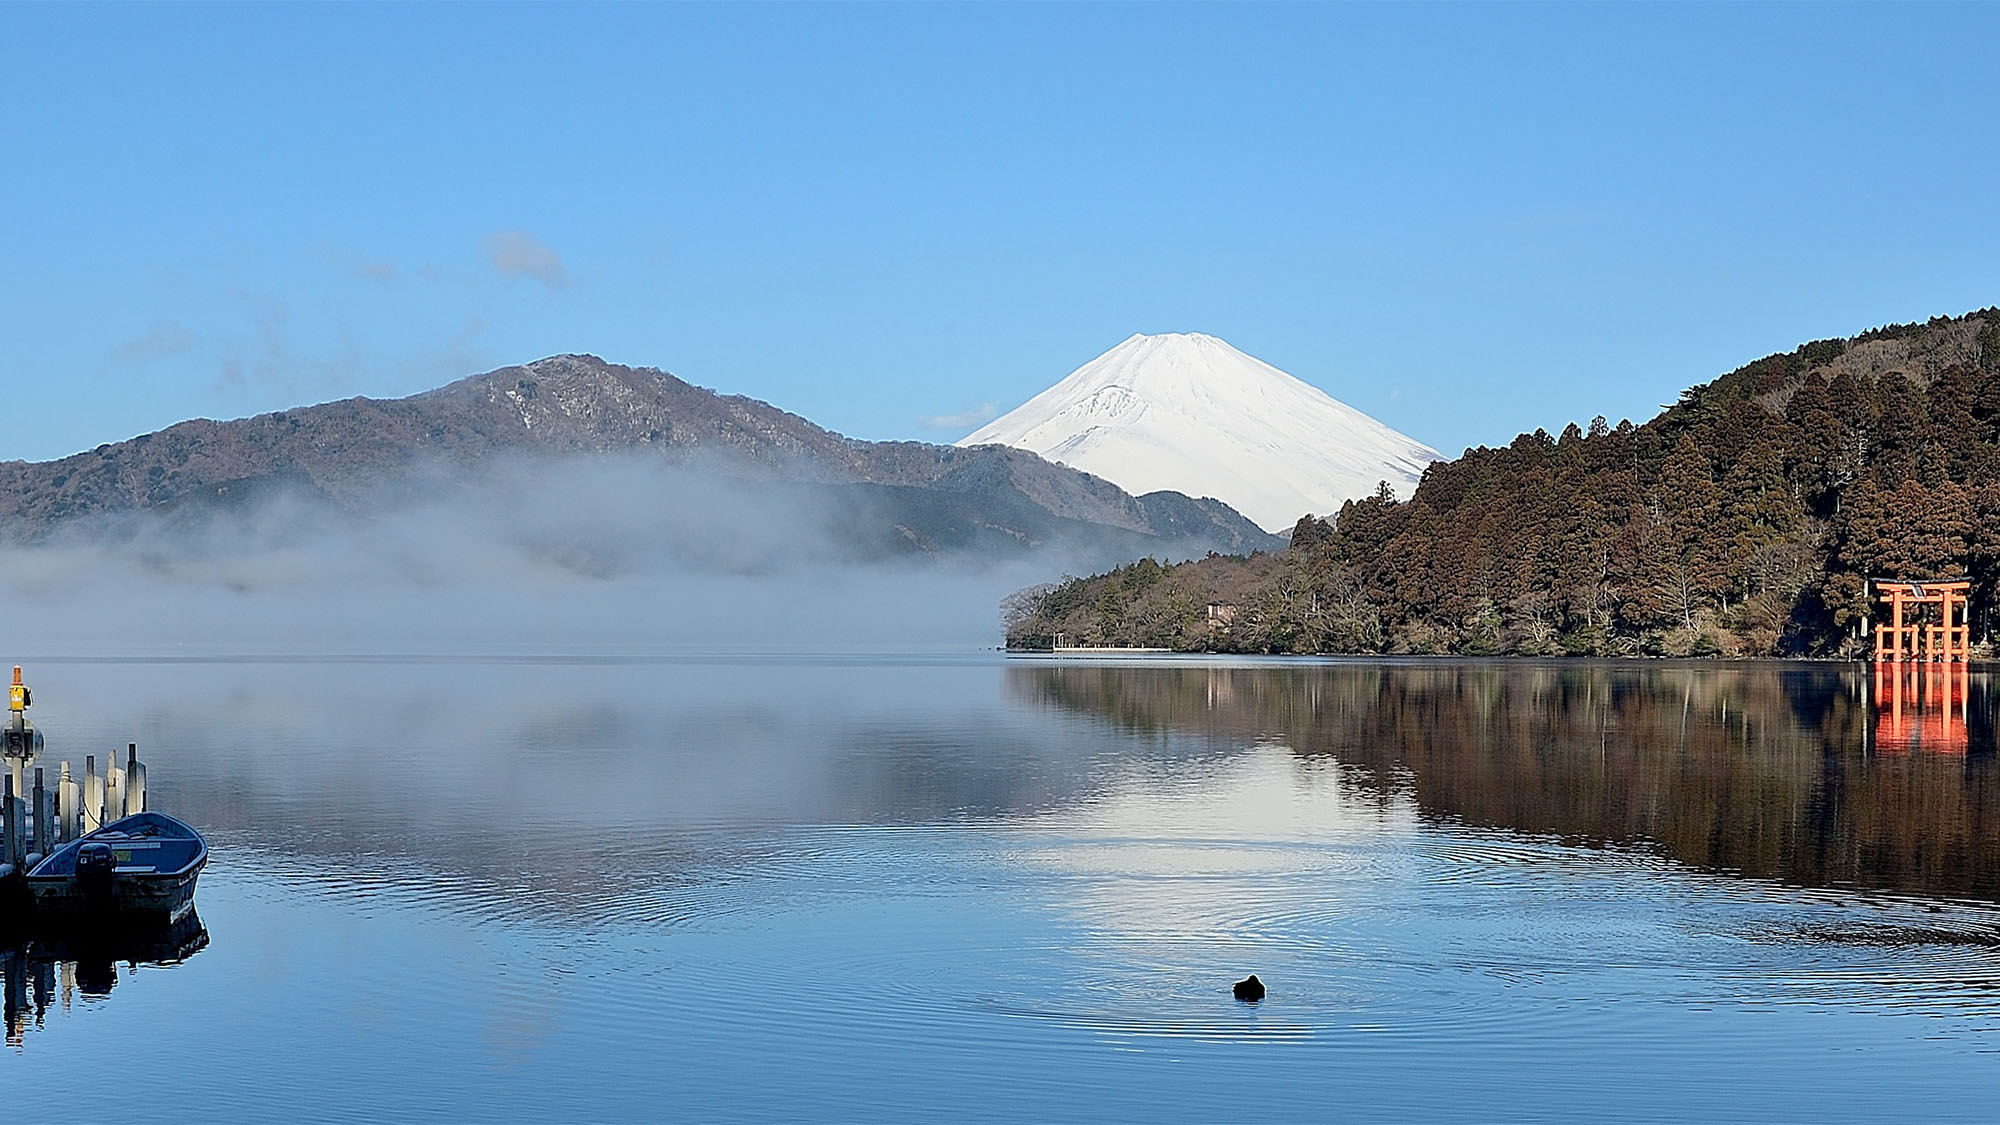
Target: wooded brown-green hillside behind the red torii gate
(1741,521)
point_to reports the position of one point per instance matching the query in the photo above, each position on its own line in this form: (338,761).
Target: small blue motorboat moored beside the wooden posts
(139,868)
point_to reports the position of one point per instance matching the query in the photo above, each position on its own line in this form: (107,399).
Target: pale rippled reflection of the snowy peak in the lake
(1173,886)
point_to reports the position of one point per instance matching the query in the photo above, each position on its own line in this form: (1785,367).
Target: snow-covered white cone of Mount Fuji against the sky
(1191,413)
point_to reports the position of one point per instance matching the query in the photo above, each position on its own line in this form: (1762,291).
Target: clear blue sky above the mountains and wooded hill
(1467,221)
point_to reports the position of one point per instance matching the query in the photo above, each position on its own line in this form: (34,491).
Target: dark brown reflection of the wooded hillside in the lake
(1755,770)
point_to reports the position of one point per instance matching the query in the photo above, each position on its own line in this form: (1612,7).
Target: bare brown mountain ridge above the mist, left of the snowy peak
(349,453)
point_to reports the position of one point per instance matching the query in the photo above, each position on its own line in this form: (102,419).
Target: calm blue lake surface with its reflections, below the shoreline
(971,888)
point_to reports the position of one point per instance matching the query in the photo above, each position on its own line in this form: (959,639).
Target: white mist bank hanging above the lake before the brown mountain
(591,551)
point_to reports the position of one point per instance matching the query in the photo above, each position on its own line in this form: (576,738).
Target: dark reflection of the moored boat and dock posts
(51,970)
